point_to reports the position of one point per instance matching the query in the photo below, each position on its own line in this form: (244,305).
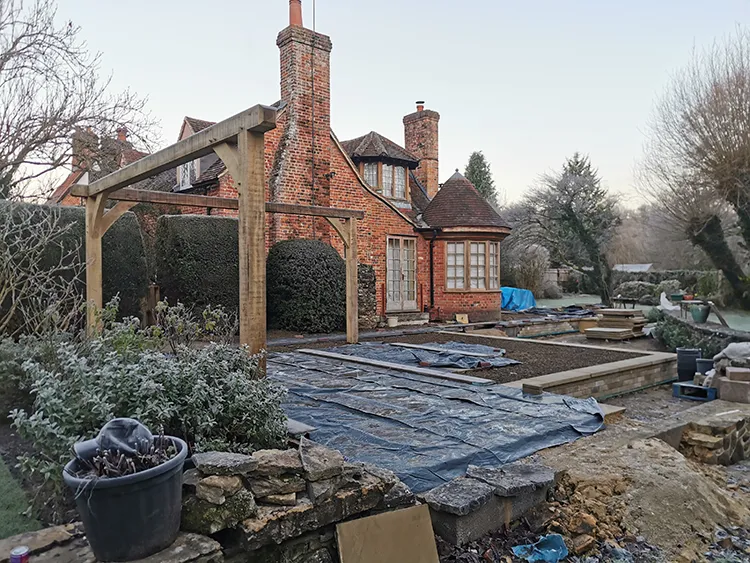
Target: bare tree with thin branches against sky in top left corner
(50,86)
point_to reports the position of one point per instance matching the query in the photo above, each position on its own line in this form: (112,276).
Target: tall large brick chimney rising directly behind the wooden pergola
(304,171)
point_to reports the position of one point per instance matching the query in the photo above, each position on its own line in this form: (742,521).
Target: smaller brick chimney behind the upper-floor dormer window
(421,138)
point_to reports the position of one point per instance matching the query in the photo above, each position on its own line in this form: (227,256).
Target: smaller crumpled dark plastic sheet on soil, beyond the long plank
(426,358)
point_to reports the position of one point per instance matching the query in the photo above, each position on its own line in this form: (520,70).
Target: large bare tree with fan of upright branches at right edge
(696,168)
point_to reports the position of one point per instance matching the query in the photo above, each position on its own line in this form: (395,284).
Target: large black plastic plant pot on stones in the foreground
(131,517)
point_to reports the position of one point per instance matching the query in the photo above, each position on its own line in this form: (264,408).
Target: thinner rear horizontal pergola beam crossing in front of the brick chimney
(192,200)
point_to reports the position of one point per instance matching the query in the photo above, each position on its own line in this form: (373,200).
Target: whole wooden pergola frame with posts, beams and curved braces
(239,143)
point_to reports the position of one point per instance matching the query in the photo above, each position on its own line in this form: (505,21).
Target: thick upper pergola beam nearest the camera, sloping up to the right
(257,119)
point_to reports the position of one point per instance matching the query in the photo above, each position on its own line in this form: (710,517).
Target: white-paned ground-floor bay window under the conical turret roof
(472,266)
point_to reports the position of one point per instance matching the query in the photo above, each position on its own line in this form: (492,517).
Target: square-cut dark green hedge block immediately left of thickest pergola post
(196,258)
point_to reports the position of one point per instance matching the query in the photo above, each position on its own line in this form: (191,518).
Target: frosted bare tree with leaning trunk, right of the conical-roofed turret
(574,217)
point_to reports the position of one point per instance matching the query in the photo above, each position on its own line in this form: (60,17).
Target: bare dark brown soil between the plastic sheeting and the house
(536,359)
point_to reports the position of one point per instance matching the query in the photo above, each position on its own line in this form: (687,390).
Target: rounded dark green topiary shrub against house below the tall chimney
(306,287)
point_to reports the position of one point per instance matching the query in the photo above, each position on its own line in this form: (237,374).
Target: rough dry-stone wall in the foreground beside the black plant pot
(276,506)
